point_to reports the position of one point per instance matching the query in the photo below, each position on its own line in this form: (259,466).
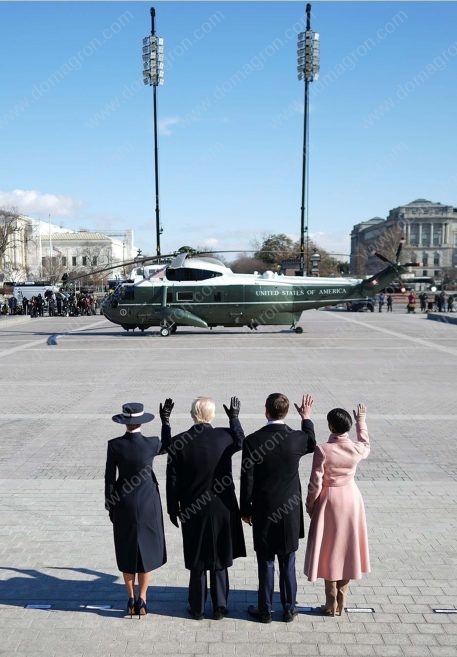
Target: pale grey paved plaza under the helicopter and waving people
(62,379)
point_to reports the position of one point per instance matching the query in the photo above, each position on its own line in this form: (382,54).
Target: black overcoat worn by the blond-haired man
(200,491)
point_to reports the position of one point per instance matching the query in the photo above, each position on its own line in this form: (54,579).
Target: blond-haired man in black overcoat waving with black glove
(201,493)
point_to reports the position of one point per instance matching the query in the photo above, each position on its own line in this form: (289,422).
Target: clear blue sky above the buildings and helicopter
(76,132)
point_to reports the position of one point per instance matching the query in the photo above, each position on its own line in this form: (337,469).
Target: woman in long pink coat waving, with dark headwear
(337,548)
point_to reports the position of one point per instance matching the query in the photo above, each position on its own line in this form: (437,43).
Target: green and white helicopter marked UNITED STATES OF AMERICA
(202,291)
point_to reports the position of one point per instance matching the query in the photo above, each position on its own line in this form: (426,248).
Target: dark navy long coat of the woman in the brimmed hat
(133,500)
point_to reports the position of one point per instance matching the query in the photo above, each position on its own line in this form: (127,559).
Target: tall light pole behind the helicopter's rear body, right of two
(308,56)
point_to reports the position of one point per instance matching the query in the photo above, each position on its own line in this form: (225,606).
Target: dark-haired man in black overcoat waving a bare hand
(271,500)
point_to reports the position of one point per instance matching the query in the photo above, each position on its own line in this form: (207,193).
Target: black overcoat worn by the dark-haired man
(270,486)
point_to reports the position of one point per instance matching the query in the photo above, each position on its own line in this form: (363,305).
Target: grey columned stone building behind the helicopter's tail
(430,234)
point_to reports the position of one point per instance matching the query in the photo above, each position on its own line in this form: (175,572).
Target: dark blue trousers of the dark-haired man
(287,582)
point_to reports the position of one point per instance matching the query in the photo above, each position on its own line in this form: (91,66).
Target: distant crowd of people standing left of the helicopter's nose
(51,304)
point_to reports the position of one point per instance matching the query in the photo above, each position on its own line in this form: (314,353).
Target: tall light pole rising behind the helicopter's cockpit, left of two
(153,68)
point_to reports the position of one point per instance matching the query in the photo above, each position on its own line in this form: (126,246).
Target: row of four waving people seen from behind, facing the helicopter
(201,498)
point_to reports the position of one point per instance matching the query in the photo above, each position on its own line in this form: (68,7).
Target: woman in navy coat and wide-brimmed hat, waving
(133,501)
